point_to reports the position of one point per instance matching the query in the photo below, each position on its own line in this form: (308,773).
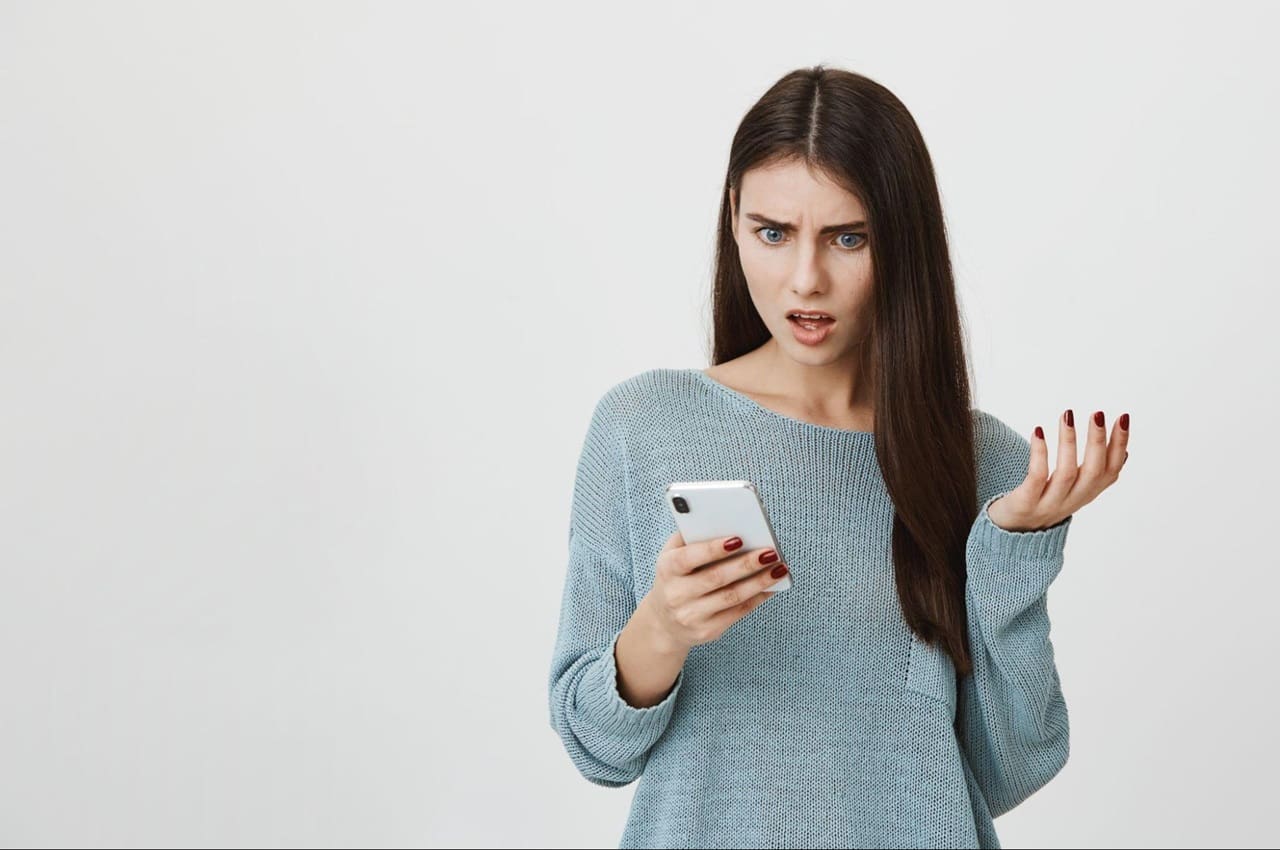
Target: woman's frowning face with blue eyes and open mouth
(803,243)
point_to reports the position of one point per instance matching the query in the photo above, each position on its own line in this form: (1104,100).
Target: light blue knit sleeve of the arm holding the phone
(607,738)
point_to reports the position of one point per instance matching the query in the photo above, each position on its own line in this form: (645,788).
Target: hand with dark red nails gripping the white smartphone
(701,589)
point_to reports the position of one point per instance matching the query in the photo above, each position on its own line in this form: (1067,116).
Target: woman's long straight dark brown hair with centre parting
(858,134)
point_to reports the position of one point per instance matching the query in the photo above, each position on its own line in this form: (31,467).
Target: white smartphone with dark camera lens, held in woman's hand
(708,510)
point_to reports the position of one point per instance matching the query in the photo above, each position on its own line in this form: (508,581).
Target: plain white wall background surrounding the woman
(304,309)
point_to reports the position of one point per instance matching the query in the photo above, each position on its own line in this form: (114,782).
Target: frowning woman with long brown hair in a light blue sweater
(903,692)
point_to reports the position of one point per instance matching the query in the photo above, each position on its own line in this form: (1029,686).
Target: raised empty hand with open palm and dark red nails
(1044,500)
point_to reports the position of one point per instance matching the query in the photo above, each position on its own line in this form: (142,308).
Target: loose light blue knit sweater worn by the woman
(820,720)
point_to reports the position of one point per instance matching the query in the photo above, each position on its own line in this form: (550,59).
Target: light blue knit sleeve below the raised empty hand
(1012,719)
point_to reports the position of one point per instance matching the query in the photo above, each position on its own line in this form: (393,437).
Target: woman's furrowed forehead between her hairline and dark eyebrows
(793,193)
